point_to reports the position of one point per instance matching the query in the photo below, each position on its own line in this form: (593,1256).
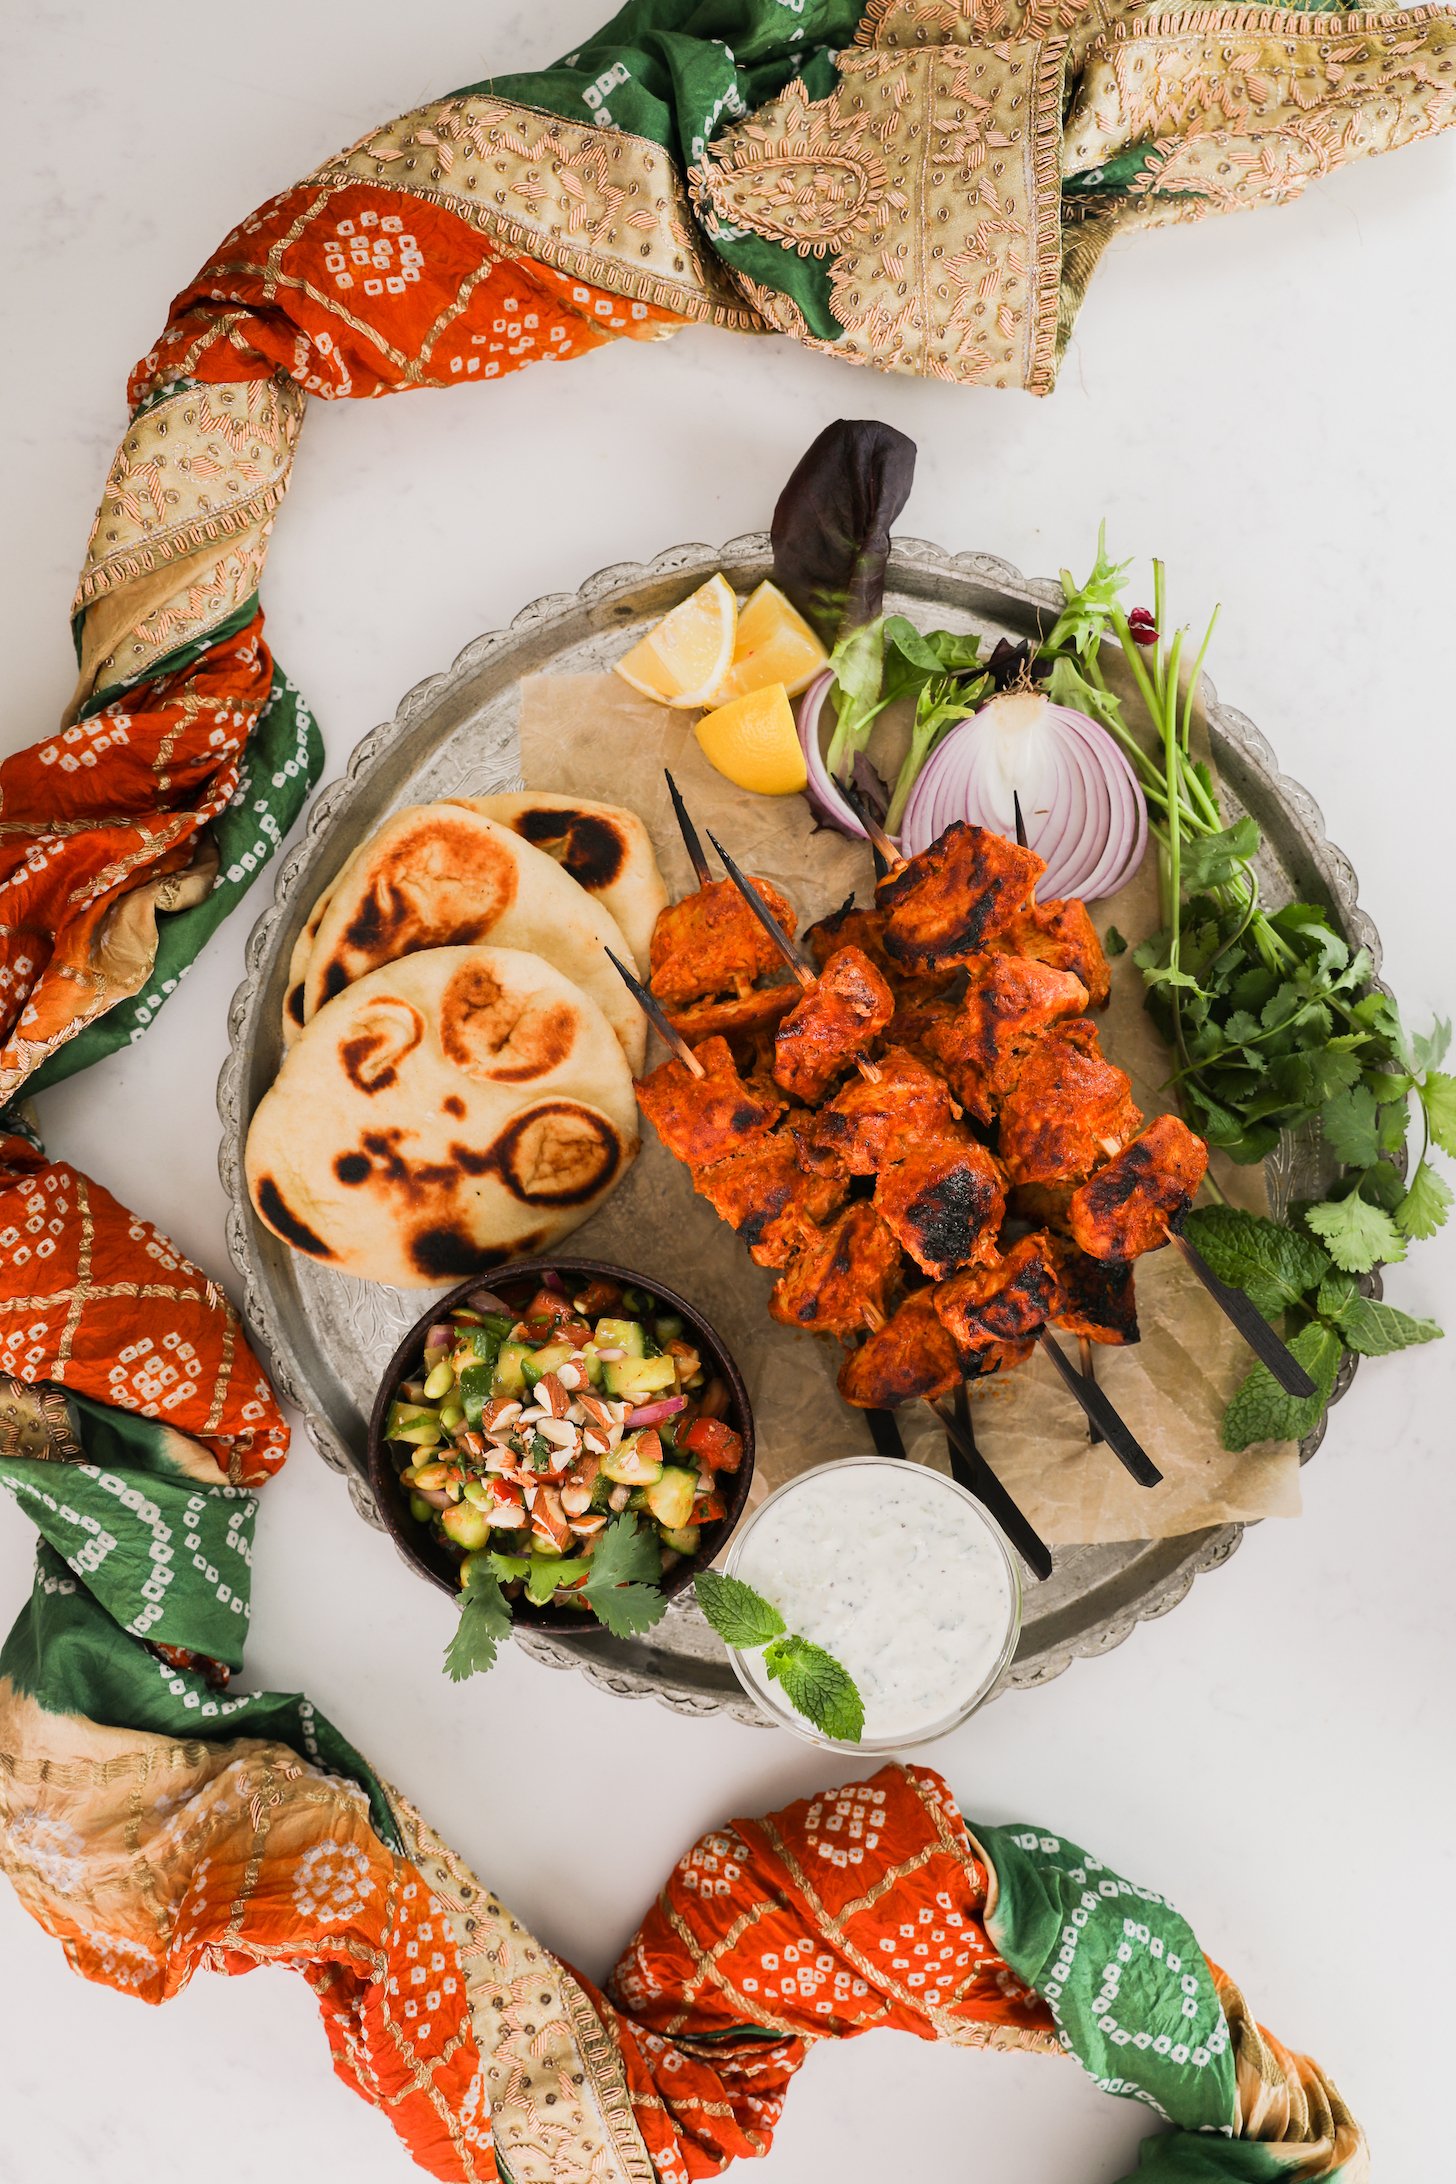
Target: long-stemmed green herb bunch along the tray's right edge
(1274,1025)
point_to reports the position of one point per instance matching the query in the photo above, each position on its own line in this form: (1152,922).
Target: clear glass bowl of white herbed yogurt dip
(896,1571)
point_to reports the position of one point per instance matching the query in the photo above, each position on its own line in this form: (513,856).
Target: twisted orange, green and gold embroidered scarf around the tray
(924,187)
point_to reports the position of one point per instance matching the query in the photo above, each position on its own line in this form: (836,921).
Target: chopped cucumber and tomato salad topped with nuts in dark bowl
(525,1438)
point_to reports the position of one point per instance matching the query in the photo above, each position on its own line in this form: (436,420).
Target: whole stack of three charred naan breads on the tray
(457,1084)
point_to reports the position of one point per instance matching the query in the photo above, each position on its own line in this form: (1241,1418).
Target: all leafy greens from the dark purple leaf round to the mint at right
(1272,1017)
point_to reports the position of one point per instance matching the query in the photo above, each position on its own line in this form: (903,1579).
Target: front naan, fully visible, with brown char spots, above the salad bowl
(442,1115)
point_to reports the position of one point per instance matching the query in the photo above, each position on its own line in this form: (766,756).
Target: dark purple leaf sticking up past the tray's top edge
(833,523)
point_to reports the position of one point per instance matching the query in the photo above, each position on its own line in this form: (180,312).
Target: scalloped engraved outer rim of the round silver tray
(911,556)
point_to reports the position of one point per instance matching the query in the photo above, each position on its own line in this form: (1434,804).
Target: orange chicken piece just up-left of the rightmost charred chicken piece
(1069,1111)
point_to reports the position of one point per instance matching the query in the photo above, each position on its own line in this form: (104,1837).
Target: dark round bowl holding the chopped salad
(516,1285)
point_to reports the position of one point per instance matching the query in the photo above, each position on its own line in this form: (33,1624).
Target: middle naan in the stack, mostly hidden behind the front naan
(446,877)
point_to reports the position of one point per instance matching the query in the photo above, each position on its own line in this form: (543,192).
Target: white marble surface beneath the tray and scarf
(1265,403)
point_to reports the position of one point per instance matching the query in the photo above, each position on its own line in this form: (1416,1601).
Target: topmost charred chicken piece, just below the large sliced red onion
(957,899)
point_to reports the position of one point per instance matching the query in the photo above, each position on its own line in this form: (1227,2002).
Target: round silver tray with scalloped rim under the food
(326,1336)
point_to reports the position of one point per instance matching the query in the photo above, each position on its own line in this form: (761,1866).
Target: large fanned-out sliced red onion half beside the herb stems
(1082,803)
